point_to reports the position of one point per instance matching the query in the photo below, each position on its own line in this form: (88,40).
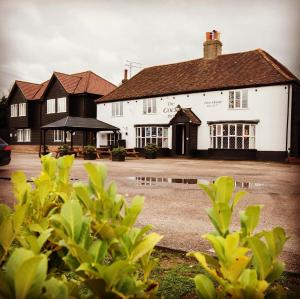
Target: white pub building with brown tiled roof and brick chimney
(239,106)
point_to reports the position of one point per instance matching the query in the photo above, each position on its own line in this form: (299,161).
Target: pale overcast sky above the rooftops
(39,37)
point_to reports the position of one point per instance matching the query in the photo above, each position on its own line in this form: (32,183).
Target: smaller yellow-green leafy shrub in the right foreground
(246,263)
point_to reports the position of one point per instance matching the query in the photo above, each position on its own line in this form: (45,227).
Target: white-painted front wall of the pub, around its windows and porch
(266,104)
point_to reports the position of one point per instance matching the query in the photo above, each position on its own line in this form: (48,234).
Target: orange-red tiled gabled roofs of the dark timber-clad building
(84,82)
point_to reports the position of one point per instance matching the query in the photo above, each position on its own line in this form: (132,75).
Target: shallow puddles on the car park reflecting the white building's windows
(152,181)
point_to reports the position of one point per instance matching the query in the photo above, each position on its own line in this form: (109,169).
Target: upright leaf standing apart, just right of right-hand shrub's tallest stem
(249,219)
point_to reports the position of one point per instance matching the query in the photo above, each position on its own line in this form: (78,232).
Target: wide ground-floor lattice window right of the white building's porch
(232,136)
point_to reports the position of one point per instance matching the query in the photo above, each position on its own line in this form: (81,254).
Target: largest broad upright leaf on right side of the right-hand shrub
(262,257)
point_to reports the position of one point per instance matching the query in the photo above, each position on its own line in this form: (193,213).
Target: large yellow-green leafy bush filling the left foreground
(63,239)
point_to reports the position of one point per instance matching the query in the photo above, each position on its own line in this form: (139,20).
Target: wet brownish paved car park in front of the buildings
(176,206)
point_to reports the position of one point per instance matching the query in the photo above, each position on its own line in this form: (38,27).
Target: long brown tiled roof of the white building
(246,69)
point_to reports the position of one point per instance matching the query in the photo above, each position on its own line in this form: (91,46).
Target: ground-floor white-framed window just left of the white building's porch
(156,135)
